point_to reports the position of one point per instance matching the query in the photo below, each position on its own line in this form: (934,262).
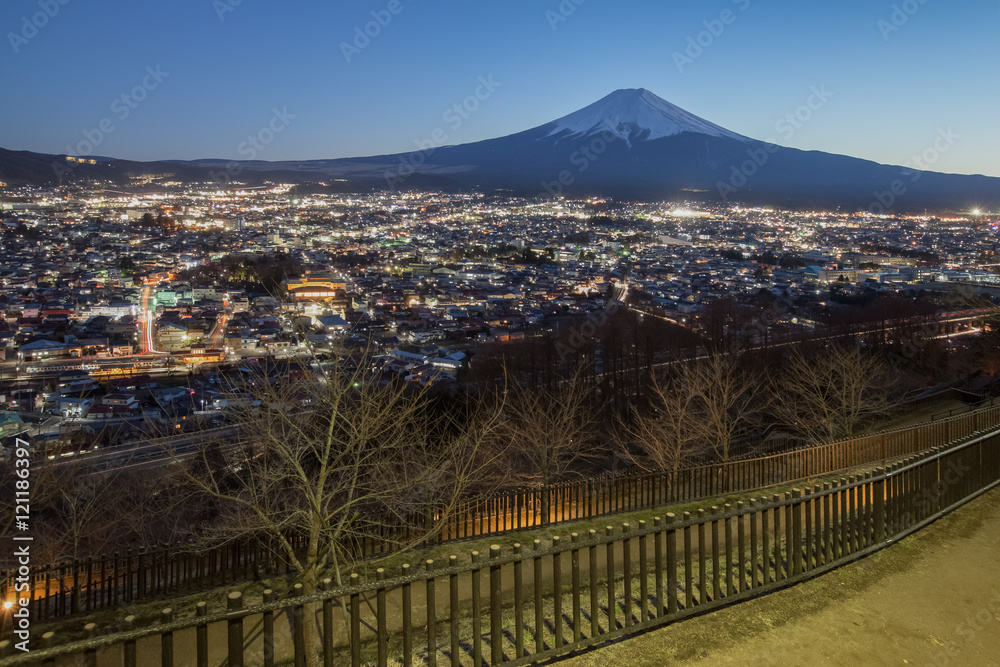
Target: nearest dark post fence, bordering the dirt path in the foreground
(519,606)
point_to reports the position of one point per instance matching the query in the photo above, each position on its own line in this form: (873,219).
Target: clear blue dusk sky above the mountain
(894,84)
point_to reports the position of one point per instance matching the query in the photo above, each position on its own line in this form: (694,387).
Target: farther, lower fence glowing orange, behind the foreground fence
(62,589)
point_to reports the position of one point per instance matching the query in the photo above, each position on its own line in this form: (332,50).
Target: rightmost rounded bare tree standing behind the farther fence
(828,393)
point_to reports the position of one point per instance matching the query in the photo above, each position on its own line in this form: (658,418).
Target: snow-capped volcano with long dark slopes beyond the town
(631,144)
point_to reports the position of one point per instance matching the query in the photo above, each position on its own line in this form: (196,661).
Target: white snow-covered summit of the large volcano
(635,114)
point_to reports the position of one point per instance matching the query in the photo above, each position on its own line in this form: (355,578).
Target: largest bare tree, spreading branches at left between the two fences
(336,460)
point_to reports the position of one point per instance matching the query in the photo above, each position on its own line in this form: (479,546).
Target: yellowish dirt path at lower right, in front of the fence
(933,599)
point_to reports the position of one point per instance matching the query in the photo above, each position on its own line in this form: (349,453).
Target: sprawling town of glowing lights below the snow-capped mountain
(120,308)
